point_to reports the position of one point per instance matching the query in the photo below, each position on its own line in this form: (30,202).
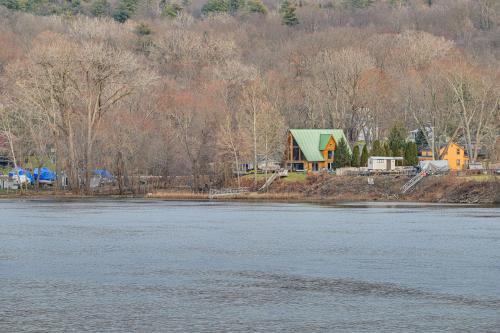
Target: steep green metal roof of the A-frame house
(312,141)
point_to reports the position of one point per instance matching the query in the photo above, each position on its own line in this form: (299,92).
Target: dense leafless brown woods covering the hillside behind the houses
(196,87)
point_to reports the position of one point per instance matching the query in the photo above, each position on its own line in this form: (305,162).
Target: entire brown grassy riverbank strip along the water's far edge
(327,188)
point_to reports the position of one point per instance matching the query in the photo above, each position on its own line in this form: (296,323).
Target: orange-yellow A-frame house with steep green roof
(312,149)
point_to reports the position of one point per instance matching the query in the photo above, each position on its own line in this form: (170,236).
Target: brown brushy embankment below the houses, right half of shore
(443,189)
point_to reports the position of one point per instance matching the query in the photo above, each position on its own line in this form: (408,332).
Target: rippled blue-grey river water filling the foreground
(153,266)
